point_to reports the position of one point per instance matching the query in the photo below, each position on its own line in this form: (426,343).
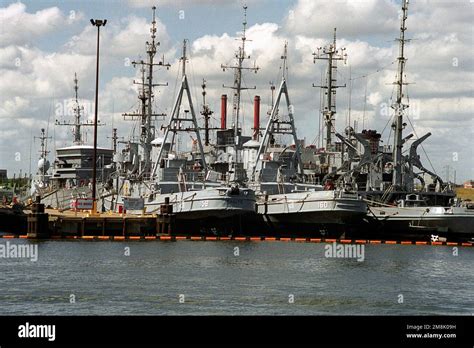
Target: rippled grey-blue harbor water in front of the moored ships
(234,278)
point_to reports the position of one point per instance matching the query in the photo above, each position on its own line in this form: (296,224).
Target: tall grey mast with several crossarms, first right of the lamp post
(146,115)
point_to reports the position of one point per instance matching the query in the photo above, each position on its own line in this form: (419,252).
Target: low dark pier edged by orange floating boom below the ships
(44,224)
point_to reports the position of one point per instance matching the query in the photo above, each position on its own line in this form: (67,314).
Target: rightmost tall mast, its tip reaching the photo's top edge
(398,106)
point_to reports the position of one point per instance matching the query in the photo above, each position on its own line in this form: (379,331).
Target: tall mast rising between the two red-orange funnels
(240,56)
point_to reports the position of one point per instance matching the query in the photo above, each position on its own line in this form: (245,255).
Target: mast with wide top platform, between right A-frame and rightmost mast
(332,55)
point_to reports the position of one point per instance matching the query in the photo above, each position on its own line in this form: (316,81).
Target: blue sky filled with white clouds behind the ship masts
(43,43)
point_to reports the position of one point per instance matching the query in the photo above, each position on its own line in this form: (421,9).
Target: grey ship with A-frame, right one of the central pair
(288,200)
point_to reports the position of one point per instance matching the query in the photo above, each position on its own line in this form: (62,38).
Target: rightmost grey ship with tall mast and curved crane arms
(432,210)
